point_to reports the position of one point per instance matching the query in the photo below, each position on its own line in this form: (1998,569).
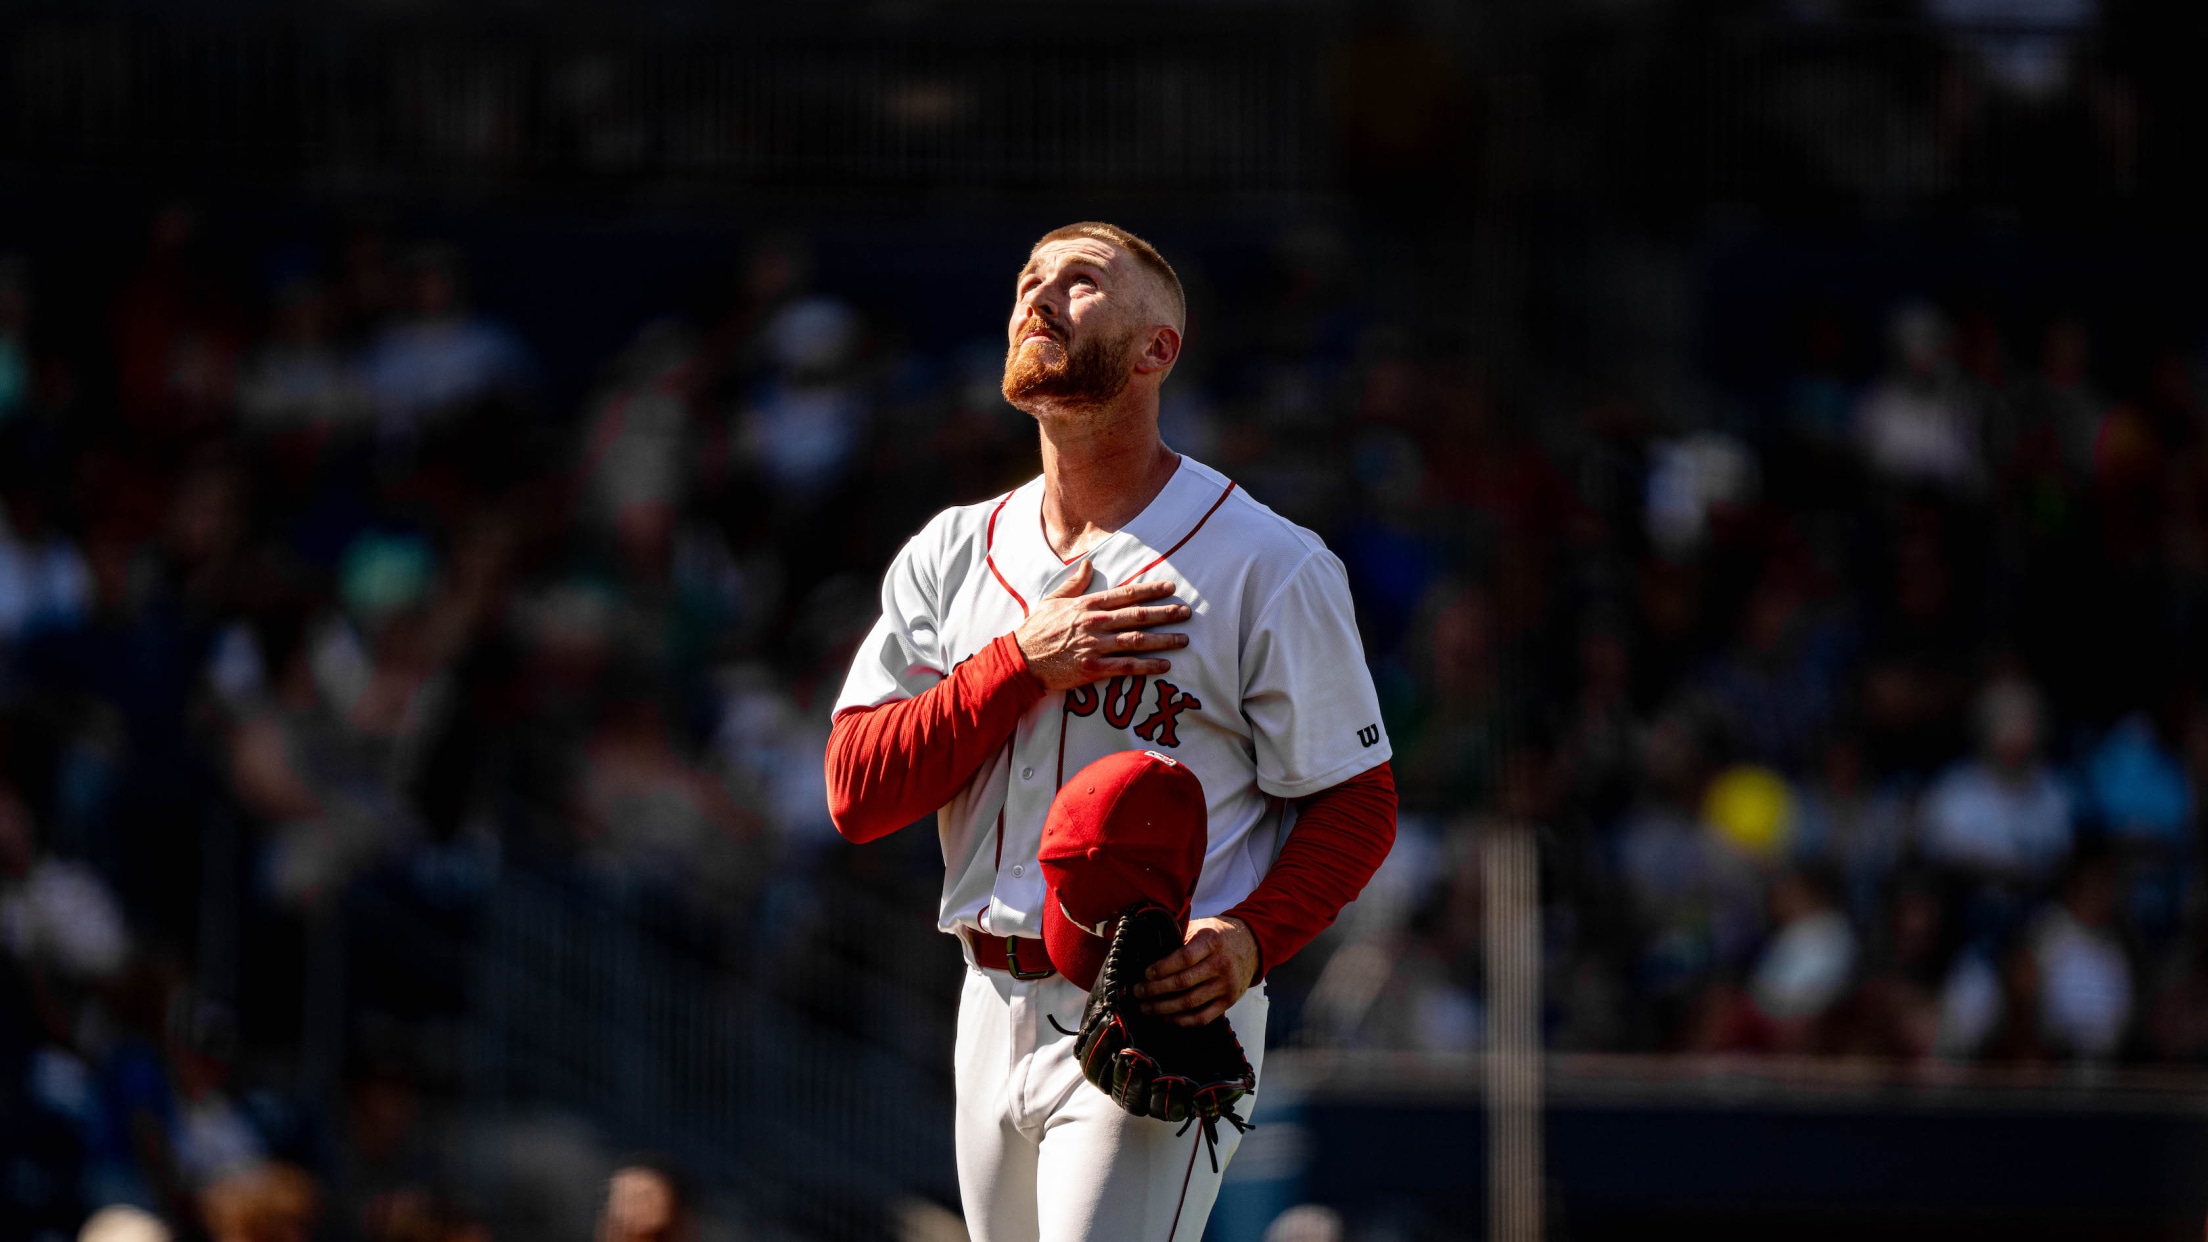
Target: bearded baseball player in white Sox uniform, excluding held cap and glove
(1127,600)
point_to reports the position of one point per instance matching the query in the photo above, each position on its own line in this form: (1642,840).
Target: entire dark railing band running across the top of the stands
(1240,101)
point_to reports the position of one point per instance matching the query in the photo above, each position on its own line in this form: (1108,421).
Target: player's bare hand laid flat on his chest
(1072,640)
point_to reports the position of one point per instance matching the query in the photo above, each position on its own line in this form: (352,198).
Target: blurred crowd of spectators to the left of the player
(319,618)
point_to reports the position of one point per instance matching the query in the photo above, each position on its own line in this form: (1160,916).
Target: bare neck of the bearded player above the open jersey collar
(1098,476)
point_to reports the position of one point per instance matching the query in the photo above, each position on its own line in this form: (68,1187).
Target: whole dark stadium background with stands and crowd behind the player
(447,459)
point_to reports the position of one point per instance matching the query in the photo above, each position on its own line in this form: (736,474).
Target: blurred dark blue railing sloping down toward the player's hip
(582,1009)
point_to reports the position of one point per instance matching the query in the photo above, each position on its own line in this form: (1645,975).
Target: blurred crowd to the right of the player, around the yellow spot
(1867,726)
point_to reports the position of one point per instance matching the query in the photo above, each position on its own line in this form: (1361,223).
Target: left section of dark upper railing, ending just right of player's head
(372,107)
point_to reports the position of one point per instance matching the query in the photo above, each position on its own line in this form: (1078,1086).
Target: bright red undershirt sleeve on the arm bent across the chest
(893,764)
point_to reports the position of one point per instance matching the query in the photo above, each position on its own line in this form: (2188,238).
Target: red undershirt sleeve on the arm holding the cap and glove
(1339,841)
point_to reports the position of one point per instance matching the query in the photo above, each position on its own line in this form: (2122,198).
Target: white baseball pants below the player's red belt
(1045,1157)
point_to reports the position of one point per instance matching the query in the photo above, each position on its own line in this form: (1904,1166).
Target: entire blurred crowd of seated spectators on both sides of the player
(1862,724)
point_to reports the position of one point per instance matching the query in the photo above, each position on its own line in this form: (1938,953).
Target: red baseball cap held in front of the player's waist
(1129,830)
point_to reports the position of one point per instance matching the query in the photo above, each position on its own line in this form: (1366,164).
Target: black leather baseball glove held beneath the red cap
(1147,1064)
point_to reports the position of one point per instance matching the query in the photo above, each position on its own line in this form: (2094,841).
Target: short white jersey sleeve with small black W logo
(1308,697)
